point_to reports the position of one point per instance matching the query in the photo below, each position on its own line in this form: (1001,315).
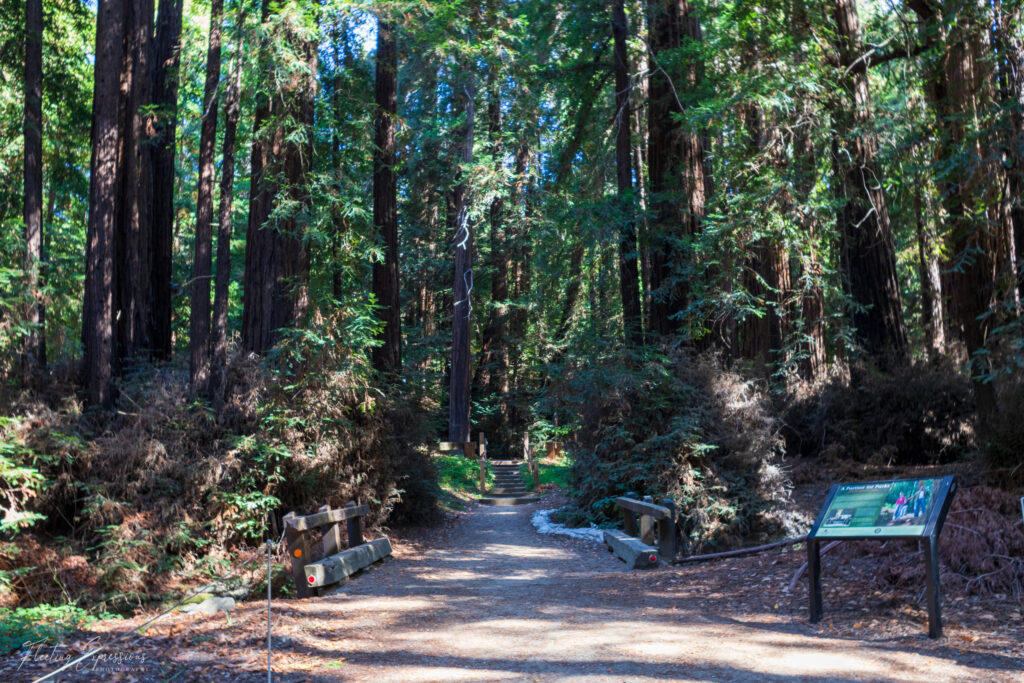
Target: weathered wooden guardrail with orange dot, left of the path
(316,568)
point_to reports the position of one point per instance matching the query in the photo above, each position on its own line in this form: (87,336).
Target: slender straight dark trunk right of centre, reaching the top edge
(629,274)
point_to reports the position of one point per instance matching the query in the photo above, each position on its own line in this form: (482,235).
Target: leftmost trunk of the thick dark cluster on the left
(98,314)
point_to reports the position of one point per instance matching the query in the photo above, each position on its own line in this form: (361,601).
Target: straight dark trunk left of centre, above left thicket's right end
(388,357)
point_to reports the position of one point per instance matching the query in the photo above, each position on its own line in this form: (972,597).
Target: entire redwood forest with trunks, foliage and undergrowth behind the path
(260,255)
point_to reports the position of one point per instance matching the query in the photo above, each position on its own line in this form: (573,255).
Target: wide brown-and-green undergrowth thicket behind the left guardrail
(138,502)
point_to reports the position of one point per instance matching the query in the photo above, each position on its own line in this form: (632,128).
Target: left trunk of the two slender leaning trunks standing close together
(199,320)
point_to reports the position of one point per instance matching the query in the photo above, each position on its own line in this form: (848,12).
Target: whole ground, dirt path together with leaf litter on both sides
(485,597)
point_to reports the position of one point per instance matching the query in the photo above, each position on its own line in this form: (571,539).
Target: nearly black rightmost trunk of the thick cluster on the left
(165,101)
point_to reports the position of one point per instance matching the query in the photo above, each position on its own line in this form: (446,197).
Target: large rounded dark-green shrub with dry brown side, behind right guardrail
(679,426)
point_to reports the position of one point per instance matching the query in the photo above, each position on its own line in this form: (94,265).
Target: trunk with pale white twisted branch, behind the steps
(459,399)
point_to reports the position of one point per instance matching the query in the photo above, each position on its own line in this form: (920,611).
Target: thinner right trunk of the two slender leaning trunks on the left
(219,339)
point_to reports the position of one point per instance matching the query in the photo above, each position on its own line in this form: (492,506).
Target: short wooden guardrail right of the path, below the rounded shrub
(645,524)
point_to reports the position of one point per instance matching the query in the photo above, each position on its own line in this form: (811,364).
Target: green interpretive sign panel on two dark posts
(905,508)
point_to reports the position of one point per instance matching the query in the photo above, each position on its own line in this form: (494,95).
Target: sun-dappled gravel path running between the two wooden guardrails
(498,602)
